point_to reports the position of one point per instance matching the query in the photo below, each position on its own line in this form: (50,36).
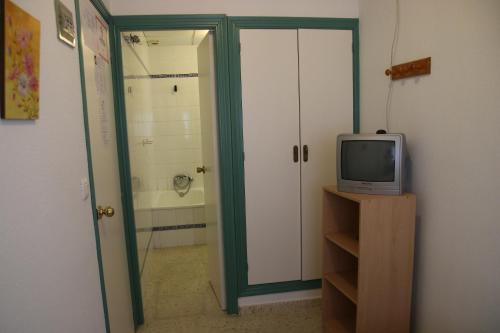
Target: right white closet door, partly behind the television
(326,109)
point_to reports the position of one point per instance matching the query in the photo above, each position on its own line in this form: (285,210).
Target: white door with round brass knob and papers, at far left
(99,93)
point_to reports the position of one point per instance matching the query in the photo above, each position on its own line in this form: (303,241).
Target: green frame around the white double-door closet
(249,22)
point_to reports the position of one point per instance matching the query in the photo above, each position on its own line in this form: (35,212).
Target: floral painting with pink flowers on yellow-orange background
(21,63)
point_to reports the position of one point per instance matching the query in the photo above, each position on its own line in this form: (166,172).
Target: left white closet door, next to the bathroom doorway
(270,102)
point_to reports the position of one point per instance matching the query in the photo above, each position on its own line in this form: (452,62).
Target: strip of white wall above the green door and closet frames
(320,8)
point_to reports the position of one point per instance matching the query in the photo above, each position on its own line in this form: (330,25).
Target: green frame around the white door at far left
(101,8)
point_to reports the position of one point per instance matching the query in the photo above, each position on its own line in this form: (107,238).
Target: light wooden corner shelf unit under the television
(367,262)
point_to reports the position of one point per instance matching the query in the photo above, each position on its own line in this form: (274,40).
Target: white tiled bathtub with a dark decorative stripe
(174,220)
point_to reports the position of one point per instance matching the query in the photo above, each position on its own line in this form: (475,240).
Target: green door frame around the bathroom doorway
(217,24)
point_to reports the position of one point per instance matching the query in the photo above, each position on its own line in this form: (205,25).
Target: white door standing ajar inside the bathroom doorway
(210,157)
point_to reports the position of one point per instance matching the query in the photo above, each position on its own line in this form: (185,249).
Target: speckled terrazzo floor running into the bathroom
(178,298)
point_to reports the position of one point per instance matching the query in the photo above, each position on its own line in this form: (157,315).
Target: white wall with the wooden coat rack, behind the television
(451,119)
